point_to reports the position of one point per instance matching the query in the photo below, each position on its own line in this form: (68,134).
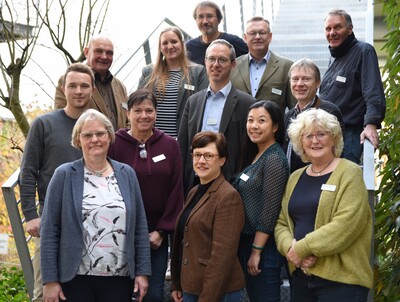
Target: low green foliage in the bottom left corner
(12,285)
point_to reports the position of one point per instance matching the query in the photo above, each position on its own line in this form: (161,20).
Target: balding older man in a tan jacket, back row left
(110,95)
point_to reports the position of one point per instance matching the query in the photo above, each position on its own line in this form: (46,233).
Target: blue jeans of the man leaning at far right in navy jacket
(352,148)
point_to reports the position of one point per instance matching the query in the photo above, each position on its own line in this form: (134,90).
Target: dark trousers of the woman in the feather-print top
(98,289)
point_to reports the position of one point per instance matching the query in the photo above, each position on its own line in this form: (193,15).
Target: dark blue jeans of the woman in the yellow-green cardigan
(316,289)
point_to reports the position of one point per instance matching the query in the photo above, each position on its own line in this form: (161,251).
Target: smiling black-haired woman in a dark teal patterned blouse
(261,185)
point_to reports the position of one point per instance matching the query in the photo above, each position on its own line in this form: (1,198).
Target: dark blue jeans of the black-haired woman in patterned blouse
(268,282)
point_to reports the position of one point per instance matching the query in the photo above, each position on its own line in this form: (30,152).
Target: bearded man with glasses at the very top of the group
(208,16)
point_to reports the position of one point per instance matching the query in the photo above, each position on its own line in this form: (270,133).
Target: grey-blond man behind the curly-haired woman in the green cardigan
(305,79)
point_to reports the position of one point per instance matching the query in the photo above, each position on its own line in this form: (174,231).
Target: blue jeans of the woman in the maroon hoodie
(159,262)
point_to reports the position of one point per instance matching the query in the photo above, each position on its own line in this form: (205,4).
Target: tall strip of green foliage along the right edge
(387,210)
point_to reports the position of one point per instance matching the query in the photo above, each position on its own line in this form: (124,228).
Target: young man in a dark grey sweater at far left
(48,145)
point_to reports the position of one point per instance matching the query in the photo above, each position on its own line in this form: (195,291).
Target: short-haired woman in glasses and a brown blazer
(204,263)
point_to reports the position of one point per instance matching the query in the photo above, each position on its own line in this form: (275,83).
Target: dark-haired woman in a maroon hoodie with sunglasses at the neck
(156,160)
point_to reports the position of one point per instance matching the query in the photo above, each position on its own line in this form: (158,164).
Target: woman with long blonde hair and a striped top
(172,79)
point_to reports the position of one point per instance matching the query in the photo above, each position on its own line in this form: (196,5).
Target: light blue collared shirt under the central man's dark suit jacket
(214,107)
